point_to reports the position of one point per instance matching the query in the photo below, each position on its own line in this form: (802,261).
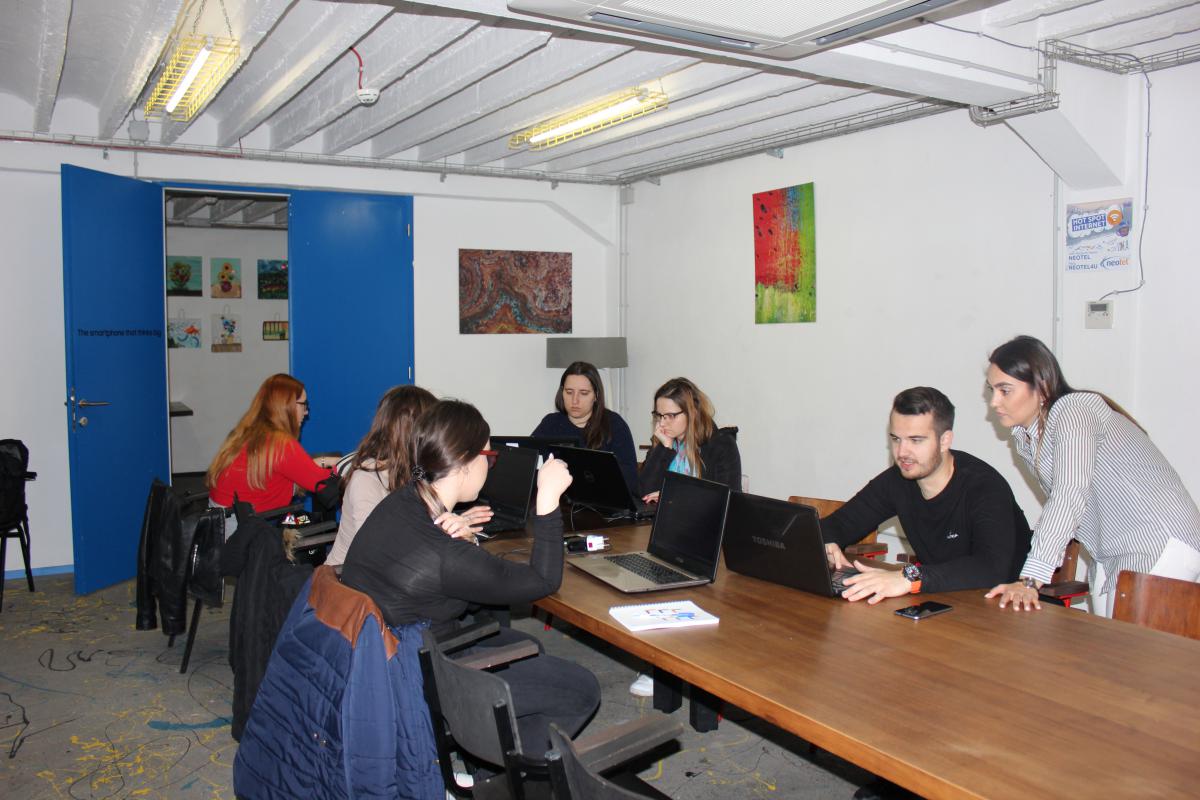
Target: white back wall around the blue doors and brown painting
(503,375)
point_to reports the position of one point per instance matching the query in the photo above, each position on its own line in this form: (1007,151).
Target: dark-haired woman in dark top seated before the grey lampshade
(583,416)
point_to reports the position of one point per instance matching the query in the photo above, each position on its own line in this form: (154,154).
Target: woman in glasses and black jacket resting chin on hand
(688,441)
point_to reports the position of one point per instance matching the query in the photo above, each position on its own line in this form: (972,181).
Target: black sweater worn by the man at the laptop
(971,536)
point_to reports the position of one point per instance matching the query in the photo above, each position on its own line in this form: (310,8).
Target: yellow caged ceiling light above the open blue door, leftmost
(191,77)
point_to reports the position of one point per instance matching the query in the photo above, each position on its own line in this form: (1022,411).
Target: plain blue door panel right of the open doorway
(351,264)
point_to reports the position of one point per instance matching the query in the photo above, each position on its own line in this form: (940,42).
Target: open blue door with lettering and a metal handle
(116,365)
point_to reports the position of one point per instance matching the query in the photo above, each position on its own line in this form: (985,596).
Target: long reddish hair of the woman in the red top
(263,431)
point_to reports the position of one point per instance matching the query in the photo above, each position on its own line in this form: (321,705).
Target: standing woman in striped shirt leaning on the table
(1107,484)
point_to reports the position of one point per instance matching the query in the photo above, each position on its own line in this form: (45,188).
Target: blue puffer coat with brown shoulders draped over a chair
(340,713)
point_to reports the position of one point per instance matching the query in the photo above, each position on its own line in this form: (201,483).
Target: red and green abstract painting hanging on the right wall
(785,262)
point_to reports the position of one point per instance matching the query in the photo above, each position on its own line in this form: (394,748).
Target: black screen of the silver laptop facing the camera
(689,525)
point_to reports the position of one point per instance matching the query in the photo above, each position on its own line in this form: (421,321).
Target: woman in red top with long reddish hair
(261,462)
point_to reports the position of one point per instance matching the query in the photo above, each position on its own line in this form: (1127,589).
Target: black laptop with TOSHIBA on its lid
(779,542)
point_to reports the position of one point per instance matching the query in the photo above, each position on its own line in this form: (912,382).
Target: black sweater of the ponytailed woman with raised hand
(415,572)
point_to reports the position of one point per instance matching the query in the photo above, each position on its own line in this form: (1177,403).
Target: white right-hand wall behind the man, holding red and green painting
(934,245)
